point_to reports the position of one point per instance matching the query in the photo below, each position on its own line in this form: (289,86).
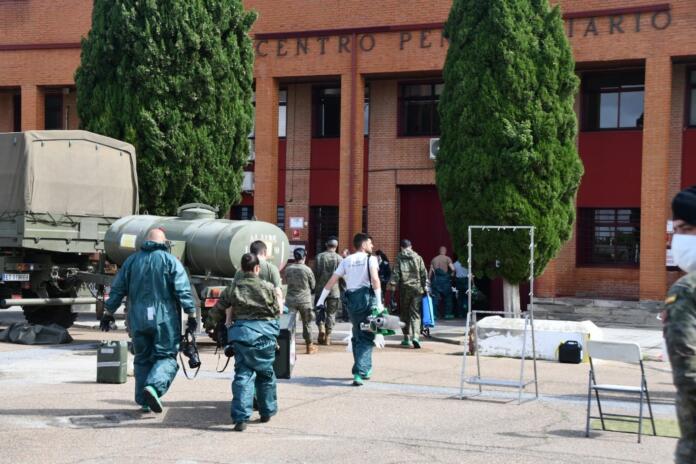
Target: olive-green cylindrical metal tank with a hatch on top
(205,245)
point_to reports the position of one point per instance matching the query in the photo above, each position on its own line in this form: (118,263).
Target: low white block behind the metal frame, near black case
(500,336)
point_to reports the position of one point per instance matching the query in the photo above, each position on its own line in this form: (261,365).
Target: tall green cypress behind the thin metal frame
(508,151)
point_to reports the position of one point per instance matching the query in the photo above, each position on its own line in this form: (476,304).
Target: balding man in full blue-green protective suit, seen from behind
(156,285)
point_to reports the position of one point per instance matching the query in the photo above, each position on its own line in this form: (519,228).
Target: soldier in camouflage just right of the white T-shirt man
(411,278)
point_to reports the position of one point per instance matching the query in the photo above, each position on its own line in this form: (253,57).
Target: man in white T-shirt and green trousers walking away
(363,292)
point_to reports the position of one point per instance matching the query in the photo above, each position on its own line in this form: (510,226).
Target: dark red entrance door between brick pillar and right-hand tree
(422,220)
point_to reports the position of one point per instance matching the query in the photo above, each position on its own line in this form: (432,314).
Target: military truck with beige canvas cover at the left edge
(59,192)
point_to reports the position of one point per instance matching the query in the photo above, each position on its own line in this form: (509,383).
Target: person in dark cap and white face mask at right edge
(679,317)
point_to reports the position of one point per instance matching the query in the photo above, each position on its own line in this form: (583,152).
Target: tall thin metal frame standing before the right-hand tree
(519,384)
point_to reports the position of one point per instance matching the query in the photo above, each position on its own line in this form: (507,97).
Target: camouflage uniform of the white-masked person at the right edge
(680,335)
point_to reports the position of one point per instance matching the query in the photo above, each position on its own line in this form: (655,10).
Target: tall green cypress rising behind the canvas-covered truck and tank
(174,78)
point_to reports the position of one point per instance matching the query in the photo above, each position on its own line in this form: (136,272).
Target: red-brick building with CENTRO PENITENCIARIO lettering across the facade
(346,93)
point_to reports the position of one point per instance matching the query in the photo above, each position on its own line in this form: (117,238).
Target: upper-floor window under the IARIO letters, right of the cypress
(613,101)
